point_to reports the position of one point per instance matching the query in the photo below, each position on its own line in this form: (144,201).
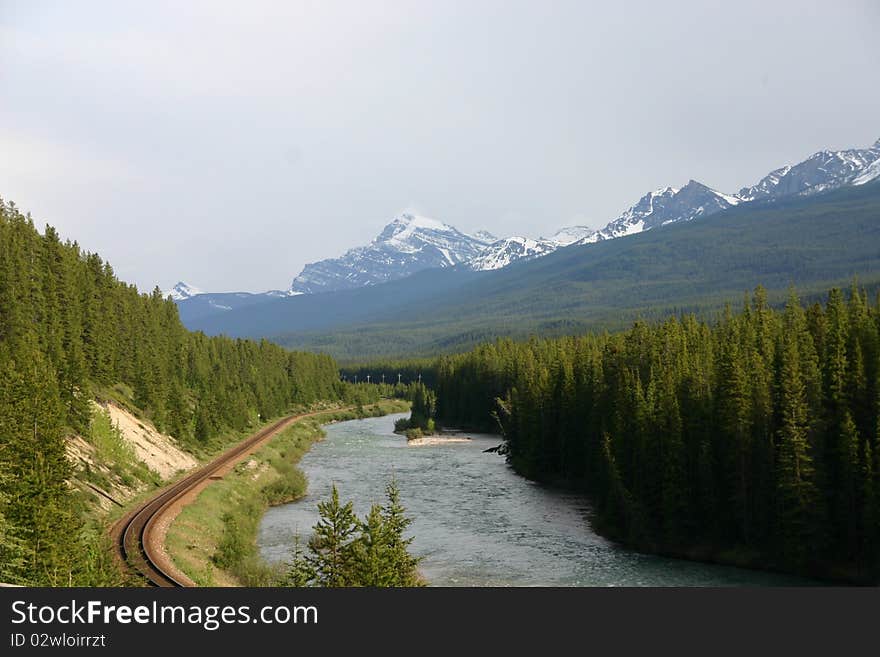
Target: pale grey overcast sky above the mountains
(229,143)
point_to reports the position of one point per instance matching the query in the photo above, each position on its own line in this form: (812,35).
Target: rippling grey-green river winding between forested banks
(476,522)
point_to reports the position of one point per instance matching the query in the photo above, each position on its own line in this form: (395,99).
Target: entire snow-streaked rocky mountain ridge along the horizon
(411,243)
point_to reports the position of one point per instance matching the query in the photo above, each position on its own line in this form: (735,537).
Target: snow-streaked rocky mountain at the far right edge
(818,173)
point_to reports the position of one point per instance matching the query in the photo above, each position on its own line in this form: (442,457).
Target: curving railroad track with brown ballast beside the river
(132,534)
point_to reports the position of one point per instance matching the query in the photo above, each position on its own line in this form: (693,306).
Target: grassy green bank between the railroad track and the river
(213,540)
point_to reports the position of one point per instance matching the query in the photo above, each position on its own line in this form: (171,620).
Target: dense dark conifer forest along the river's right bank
(753,439)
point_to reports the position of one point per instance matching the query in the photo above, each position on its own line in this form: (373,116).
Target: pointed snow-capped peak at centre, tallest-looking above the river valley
(410,243)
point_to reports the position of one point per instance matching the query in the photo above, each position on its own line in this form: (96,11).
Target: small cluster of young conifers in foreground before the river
(347,551)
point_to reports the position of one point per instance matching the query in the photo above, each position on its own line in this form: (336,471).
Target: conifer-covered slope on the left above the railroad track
(69,330)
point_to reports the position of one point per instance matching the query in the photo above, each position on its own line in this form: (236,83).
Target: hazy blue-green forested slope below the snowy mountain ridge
(815,243)
